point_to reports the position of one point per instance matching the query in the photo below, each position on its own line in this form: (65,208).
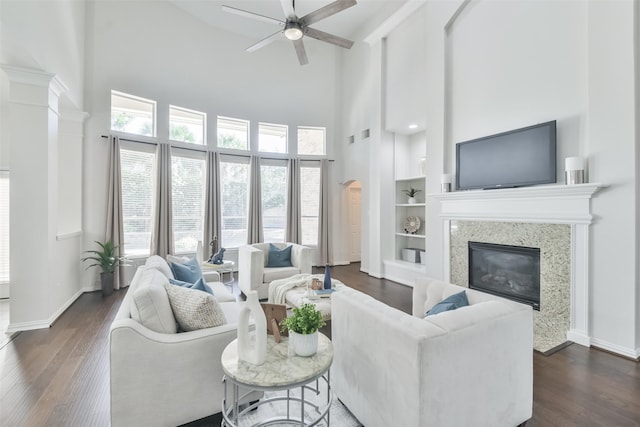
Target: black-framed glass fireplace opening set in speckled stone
(511,272)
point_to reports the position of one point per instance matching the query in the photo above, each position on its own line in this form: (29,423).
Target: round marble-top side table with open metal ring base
(282,370)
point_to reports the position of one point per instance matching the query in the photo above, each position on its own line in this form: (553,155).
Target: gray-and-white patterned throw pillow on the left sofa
(194,309)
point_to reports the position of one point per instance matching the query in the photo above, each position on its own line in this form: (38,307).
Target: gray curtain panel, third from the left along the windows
(212,208)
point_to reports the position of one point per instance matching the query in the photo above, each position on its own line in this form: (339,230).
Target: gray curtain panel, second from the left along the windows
(162,236)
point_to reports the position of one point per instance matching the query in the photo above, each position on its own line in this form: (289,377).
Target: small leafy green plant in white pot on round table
(303,327)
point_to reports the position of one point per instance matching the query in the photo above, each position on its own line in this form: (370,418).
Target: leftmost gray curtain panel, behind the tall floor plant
(115,223)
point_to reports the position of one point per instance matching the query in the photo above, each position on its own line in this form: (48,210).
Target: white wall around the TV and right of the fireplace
(503,70)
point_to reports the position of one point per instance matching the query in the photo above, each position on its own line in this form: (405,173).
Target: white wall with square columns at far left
(43,42)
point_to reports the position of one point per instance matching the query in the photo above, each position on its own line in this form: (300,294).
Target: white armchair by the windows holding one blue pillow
(253,273)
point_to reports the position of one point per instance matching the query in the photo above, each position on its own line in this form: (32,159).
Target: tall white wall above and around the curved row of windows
(163,53)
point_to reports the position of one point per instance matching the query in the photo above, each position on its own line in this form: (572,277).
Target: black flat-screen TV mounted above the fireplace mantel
(516,158)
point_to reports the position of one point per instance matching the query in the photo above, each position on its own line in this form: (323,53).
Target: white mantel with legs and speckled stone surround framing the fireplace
(523,208)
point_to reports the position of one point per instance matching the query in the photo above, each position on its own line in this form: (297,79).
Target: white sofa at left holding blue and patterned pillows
(166,378)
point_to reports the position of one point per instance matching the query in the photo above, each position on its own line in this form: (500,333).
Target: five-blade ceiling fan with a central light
(294,28)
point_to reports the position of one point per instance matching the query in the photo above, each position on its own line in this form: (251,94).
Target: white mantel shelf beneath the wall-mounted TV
(560,204)
